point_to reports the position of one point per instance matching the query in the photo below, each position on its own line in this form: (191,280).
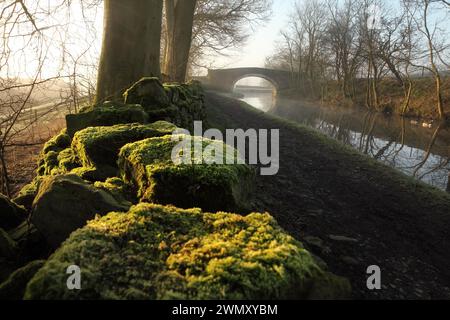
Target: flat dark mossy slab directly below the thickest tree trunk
(108,114)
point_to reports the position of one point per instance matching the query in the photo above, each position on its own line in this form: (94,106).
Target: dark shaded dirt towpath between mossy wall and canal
(380,217)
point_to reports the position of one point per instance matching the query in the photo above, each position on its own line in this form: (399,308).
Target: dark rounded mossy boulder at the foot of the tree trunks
(149,93)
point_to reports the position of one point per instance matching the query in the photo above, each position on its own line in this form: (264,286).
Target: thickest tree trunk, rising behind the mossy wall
(131,45)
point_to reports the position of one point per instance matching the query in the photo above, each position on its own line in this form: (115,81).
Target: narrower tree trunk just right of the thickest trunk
(179,21)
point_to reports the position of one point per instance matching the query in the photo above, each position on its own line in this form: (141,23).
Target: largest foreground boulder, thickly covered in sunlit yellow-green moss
(157,252)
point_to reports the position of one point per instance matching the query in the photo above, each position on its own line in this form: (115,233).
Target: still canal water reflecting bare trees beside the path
(421,150)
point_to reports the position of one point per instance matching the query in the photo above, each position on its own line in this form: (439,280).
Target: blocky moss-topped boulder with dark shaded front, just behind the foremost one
(148,164)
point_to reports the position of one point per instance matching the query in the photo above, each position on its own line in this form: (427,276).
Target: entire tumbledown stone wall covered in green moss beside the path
(161,242)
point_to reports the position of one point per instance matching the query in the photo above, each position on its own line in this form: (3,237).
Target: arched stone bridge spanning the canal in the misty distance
(225,79)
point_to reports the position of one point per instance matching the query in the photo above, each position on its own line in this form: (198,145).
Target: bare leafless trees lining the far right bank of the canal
(357,43)
